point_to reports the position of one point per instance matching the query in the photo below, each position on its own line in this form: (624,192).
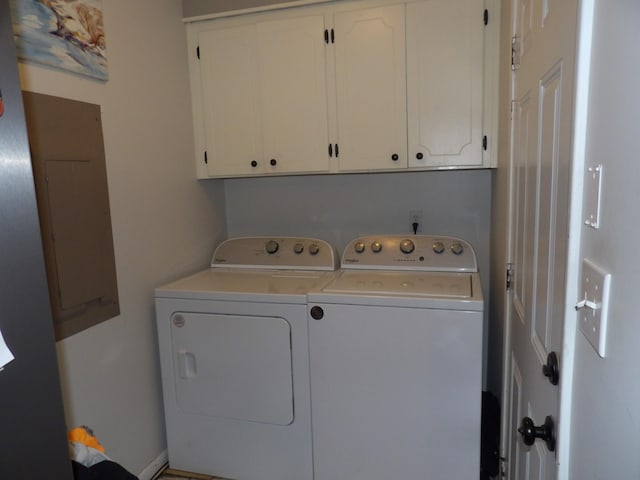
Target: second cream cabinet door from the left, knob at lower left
(293,93)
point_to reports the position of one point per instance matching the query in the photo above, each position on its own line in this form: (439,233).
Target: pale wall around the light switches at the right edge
(605,420)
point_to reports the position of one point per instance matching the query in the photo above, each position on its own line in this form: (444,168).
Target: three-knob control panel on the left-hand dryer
(283,253)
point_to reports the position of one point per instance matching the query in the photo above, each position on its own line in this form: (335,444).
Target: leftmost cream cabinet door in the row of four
(228,72)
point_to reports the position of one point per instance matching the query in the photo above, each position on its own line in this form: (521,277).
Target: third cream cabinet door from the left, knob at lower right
(371,88)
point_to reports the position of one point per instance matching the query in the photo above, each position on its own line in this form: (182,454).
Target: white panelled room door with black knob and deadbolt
(544,51)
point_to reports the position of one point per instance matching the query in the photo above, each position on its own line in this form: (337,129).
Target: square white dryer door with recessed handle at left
(233,366)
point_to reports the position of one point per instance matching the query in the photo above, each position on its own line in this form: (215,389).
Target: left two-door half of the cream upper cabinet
(263,106)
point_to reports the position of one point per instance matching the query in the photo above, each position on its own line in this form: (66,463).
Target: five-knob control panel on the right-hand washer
(415,252)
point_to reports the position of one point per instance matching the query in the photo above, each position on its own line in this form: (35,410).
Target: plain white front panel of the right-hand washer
(384,405)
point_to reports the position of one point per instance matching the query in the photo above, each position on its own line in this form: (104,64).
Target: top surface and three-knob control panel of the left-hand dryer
(259,269)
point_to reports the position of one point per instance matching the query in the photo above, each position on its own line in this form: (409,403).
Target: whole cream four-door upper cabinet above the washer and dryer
(349,86)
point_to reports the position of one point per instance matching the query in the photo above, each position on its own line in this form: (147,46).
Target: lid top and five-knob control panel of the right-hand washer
(418,271)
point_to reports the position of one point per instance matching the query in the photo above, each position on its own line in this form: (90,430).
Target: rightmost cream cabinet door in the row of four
(445,83)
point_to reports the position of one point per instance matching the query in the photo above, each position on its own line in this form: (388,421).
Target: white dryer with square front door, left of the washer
(235,363)
